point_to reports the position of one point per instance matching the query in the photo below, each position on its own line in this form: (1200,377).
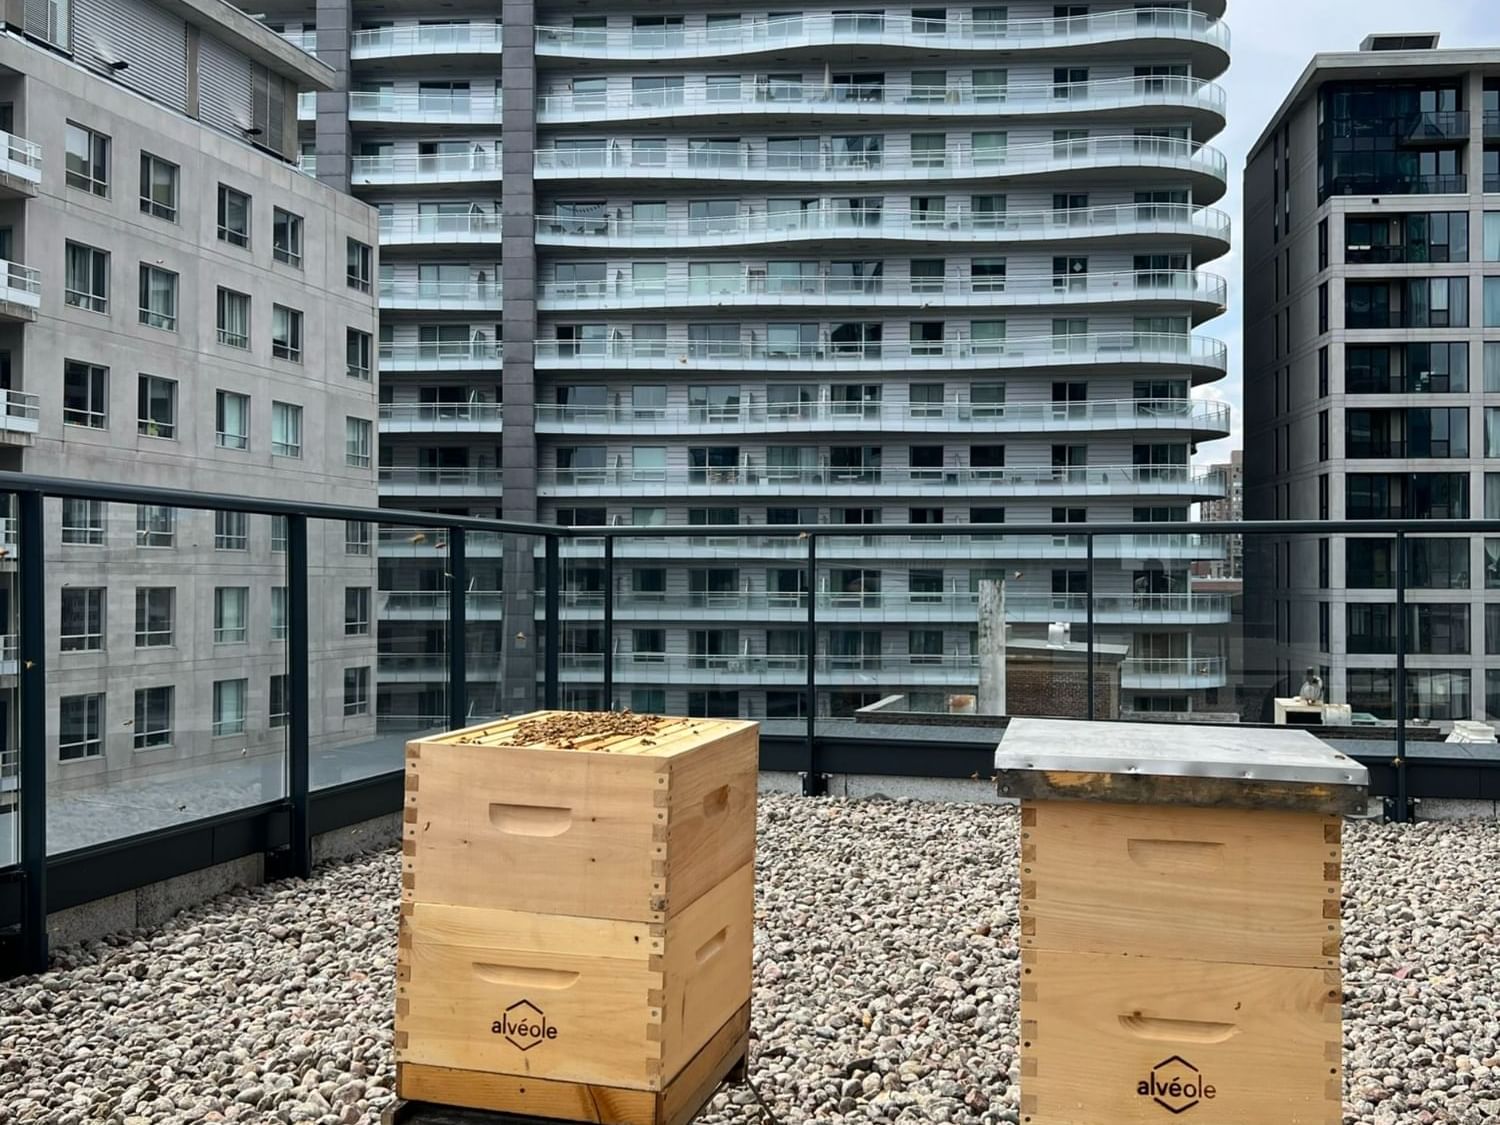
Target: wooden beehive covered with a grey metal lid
(1180,922)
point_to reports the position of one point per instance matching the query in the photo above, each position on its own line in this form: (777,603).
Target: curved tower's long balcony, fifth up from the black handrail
(1205,229)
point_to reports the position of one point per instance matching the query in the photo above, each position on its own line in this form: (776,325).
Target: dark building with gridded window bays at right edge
(1373,293)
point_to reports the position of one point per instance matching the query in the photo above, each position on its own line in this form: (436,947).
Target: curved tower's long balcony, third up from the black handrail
(1103,353)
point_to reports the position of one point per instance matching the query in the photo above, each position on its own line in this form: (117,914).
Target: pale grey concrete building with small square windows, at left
(175,307)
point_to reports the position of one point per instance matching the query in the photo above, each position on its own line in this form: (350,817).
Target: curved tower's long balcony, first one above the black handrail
(757,481)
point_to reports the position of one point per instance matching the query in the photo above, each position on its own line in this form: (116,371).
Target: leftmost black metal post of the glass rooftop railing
(32,541)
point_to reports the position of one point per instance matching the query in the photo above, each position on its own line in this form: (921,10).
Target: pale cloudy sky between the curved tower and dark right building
(1271,43)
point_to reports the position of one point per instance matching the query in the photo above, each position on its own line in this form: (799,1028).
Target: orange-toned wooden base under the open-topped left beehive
(514,1097)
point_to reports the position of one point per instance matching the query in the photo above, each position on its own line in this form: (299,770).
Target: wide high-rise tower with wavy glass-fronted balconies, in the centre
(770,268)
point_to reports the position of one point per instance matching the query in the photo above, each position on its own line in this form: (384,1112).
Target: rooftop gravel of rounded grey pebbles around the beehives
(886,985)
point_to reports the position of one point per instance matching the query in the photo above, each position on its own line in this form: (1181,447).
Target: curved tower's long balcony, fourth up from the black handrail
(1204,293)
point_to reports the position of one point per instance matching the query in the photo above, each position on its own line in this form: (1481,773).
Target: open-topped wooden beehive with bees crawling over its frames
(577,916)
